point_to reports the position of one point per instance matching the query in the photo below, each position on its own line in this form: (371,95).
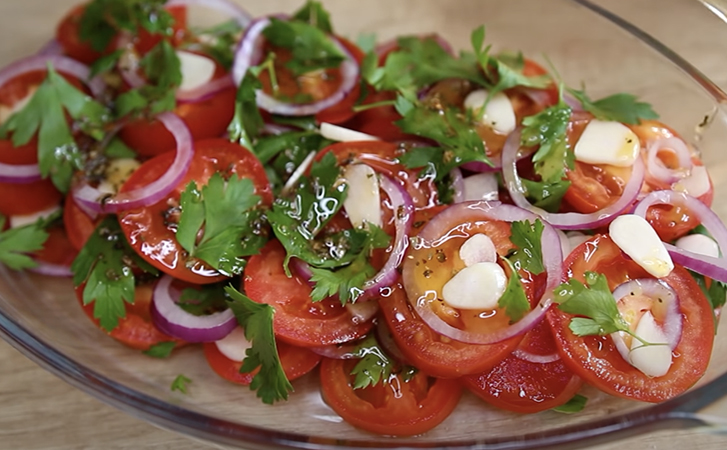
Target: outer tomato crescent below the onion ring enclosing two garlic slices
(431,352)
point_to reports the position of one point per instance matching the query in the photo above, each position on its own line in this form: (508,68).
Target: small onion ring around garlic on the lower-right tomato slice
(652,287)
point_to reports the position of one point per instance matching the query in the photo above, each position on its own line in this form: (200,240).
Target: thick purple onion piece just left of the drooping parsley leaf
(176,322)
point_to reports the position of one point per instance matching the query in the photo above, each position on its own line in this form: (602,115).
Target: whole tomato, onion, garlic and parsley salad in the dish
(406,221)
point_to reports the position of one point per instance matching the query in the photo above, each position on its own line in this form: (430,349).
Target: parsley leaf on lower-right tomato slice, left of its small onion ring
(595,302)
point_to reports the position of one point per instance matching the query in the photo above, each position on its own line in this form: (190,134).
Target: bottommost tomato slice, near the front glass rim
(398,409)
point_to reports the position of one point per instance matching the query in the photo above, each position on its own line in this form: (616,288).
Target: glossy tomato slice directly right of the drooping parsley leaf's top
(297,319)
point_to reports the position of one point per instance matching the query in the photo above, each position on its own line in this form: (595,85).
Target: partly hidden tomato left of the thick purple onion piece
(136,330)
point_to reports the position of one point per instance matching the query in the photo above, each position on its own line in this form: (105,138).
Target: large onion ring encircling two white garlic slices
(448,221)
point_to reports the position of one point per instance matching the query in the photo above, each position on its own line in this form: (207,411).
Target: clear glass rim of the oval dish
(680,412)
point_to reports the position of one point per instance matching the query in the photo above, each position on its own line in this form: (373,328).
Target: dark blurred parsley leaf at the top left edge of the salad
(102,19)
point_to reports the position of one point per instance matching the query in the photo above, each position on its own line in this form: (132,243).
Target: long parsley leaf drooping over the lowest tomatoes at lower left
(257,320)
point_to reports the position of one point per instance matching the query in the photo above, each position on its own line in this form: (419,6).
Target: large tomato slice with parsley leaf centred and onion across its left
(146,228)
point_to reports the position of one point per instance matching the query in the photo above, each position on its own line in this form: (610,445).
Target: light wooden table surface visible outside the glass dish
(39,411)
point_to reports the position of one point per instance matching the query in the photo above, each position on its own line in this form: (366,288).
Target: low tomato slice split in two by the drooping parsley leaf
(296,362)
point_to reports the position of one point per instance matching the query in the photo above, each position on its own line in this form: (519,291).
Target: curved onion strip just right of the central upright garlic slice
(403,206)
